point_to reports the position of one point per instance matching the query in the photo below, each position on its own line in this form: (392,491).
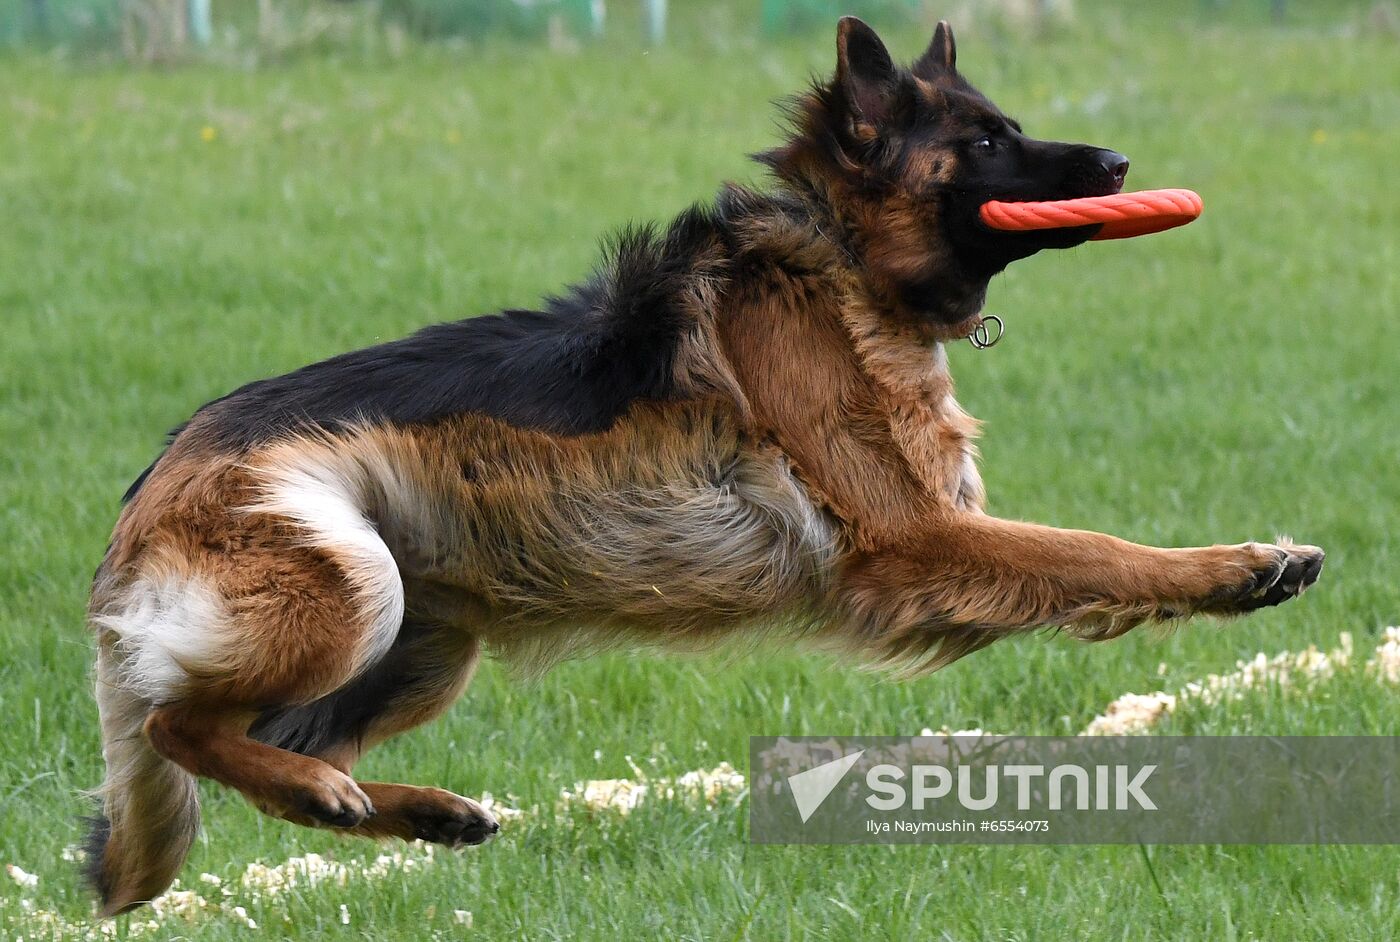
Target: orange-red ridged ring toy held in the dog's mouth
(1122,215)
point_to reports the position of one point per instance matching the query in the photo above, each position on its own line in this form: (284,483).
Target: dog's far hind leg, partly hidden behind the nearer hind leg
(419,678)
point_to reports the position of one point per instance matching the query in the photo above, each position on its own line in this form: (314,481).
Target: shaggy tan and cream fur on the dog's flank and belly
(551,547)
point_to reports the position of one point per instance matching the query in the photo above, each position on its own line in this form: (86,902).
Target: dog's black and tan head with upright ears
(906,157)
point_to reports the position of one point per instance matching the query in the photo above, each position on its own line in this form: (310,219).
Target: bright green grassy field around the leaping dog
(166,237)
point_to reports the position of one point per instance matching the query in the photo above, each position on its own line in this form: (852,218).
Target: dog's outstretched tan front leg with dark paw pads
(967,580)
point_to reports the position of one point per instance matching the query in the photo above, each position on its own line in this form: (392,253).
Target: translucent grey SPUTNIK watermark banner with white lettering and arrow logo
(1076,790)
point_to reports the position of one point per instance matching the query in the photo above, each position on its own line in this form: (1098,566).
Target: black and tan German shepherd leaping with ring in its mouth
(741,425)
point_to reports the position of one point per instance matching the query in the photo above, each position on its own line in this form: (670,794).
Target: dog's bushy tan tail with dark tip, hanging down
(150,807)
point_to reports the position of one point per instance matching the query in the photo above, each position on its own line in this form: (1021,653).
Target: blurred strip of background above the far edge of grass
(257,30)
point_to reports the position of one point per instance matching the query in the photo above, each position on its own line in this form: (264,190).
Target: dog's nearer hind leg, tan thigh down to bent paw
(290,628)
